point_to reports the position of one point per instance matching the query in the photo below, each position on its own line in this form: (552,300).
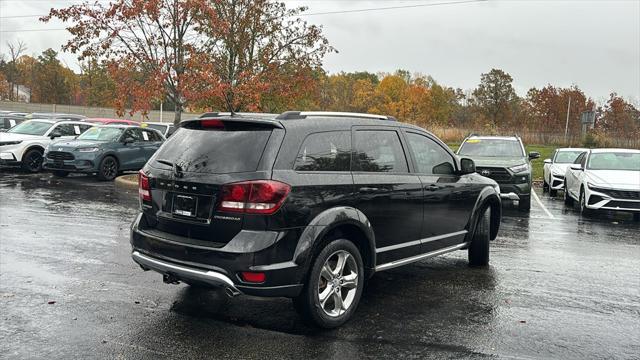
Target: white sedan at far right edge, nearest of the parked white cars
(607,179)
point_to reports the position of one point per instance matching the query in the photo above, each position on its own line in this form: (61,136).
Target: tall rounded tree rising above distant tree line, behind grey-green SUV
(495,97)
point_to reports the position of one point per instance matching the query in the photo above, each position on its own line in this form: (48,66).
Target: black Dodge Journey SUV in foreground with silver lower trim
(306,206)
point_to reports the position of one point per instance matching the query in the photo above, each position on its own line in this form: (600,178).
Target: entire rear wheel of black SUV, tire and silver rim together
(334,286)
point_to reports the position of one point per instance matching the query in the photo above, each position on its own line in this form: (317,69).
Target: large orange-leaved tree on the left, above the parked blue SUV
(147,44)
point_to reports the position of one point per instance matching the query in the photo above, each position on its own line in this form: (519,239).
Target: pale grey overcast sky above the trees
(593,44)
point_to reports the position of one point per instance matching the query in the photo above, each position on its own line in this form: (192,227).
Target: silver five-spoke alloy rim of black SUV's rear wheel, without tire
(338,283)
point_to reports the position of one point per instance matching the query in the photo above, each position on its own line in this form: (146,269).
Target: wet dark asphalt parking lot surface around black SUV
(559,286)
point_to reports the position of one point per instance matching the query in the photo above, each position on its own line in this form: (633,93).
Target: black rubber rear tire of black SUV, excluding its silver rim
(308,302)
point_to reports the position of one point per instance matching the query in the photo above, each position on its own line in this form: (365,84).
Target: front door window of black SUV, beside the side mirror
(430,157)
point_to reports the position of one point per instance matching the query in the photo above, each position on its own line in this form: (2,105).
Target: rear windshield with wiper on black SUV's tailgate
(216,151)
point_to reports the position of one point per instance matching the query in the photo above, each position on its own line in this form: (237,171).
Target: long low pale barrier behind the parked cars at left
(166,116)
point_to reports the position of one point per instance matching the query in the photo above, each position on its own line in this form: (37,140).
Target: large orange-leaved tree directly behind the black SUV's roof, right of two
(244,56)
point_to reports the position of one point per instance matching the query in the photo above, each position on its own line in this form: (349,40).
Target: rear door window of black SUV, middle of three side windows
(379,151)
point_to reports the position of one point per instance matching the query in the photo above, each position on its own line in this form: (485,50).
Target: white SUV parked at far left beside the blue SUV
(23,145)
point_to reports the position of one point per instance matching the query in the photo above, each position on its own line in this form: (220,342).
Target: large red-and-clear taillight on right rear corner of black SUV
(254,197)
